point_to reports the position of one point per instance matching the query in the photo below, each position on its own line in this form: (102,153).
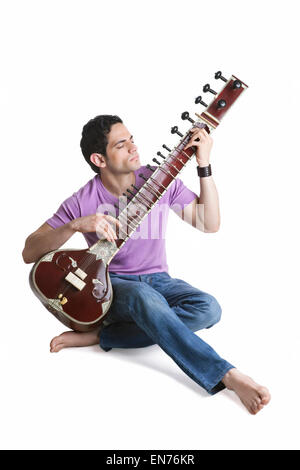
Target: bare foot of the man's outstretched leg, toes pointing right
(251,394)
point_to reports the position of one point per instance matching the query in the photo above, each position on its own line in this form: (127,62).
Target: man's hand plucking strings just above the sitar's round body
(103,224)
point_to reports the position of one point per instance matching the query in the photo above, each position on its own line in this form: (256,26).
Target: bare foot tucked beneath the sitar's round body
(73,338)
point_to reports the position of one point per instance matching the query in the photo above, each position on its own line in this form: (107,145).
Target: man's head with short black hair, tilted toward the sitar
(107,144)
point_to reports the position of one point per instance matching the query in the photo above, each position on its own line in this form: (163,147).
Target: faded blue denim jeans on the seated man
(155,308)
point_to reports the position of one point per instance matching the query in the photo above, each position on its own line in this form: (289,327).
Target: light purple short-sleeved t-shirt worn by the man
(144,252)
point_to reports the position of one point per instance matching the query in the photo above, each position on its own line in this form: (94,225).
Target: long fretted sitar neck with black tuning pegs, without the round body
(160,179)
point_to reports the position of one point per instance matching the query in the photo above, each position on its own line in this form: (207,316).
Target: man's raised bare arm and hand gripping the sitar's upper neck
(204,212)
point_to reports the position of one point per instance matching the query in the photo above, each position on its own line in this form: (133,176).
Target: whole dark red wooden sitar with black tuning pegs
(74,285)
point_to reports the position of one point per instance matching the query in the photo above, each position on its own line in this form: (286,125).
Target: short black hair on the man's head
(94,136)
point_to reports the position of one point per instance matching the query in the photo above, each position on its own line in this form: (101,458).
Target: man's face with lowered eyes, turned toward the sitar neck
(121,151)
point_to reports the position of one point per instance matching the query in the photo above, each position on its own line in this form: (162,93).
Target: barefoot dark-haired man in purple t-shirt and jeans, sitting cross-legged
(149,306)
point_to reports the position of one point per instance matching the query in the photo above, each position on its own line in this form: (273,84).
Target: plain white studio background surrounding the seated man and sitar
(64,62)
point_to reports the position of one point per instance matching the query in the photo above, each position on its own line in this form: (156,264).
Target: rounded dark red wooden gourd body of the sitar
(80,303)
